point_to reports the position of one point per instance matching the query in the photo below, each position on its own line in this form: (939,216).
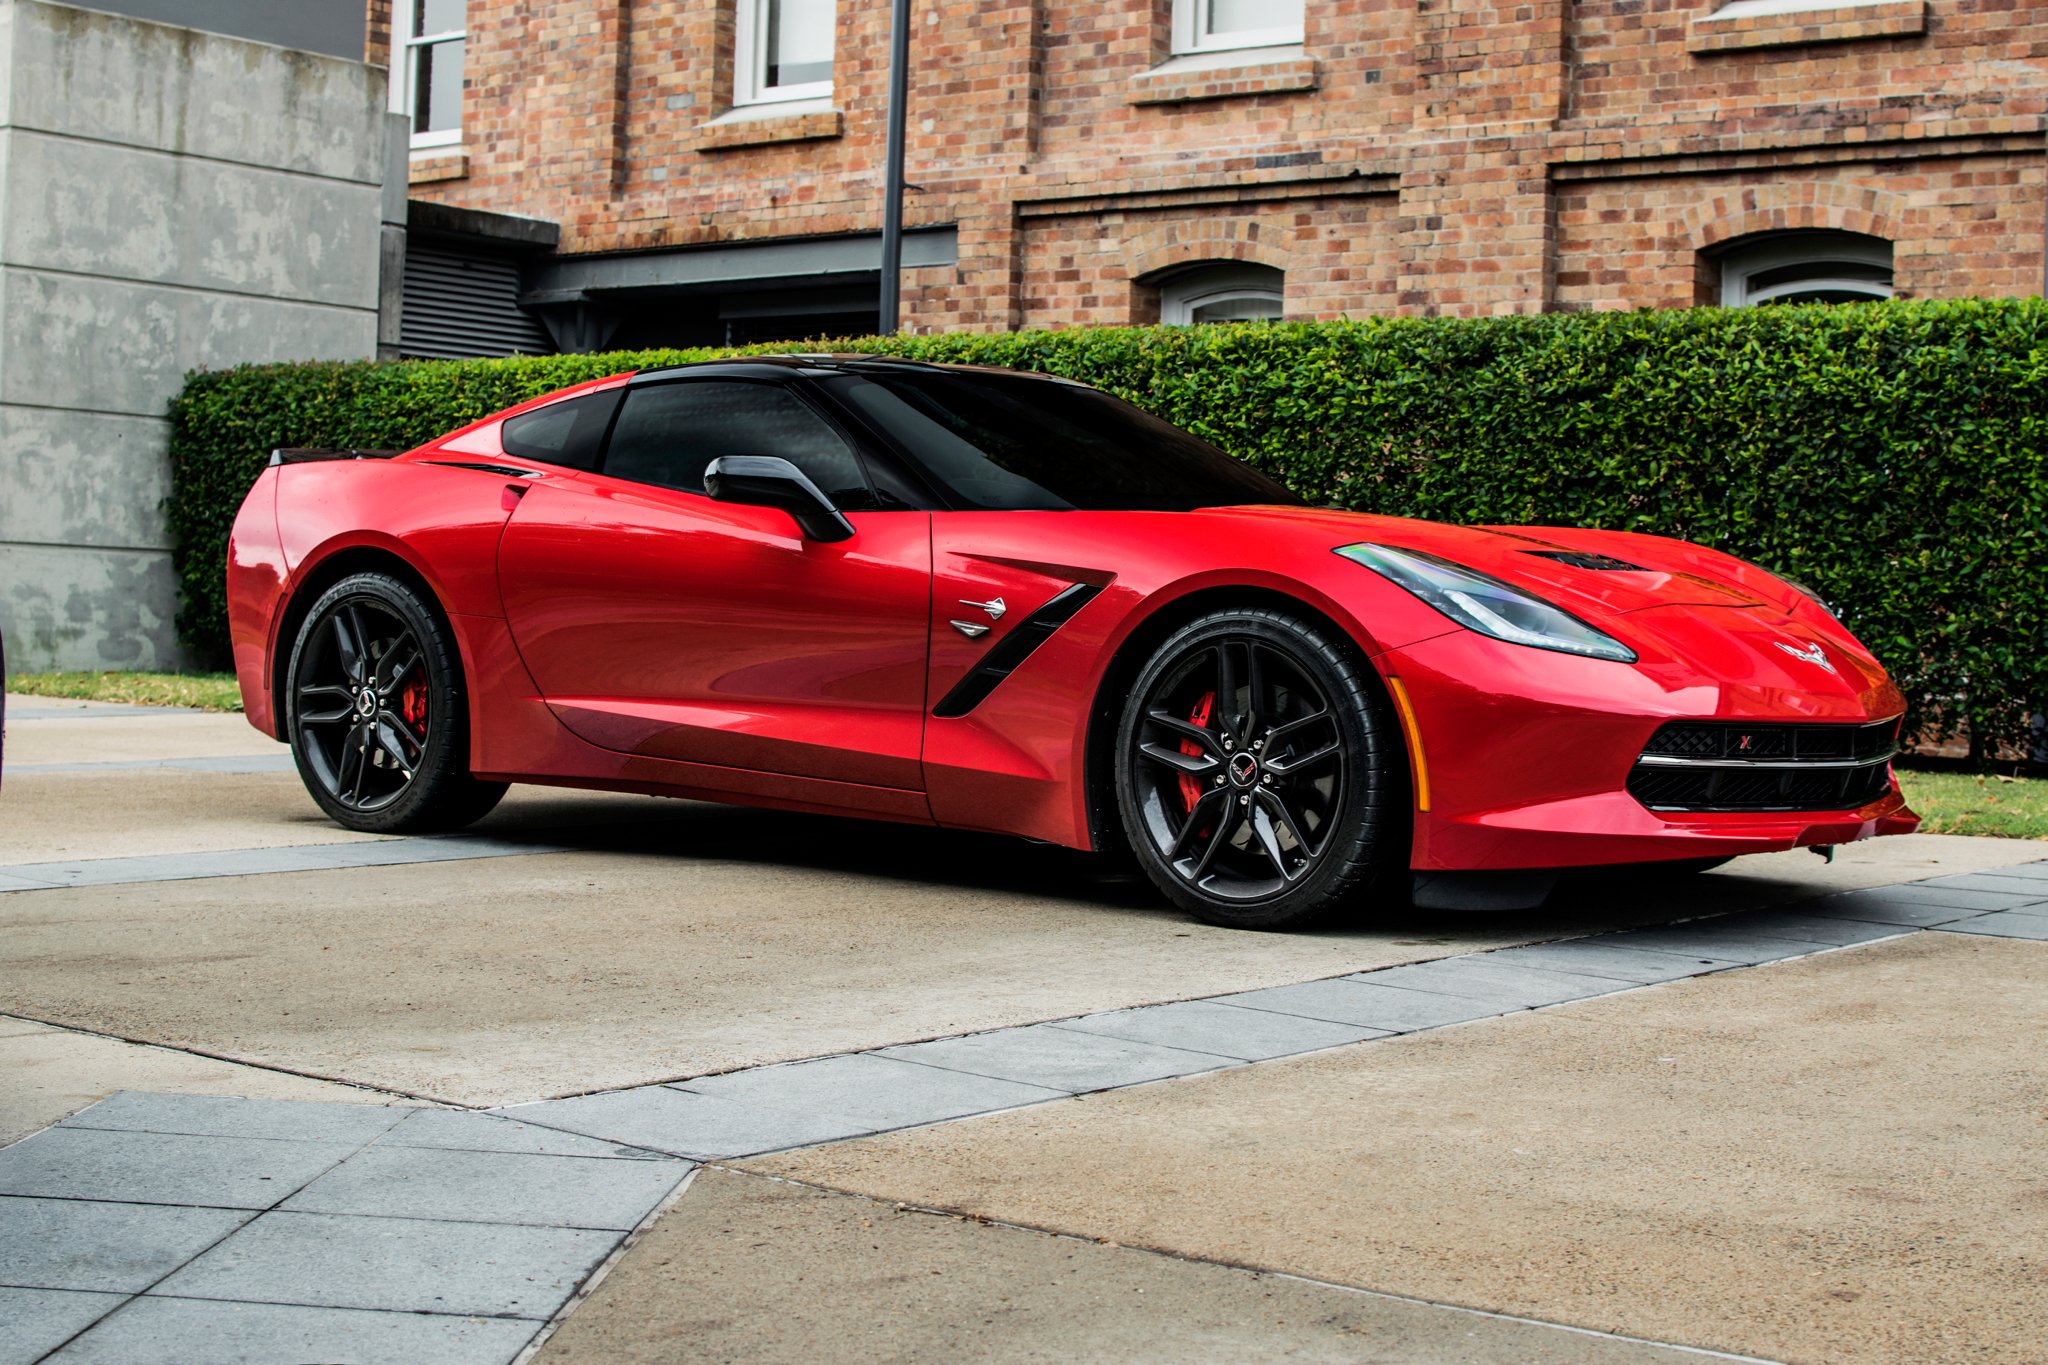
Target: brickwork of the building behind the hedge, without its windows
(1418,157)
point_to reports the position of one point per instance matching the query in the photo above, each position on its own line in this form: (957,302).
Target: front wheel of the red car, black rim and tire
(1256,775)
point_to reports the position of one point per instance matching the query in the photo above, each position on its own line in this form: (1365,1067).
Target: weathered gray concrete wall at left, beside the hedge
(169,202)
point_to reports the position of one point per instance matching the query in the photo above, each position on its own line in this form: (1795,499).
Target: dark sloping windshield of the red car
(1023,443)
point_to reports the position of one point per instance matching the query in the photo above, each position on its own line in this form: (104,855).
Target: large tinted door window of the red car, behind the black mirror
(669,433)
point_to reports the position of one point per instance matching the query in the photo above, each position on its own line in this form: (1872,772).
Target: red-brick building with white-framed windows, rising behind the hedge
(699,171)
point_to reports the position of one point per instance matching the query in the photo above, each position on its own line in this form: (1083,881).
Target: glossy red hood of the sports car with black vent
(1594,574)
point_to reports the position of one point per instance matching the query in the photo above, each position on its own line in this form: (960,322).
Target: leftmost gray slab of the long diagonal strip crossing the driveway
(687,1125)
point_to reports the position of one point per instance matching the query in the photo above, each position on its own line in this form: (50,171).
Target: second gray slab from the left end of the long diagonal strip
(871,1090)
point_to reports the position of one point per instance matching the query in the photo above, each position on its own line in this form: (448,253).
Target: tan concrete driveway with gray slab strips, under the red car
(1574,1135)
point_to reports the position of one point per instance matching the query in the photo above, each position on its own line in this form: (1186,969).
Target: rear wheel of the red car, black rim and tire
(378,713)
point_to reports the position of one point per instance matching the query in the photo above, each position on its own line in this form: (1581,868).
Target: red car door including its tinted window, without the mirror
(663,623)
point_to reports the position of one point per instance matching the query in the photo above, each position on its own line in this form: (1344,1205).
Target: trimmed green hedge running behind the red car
(1893,457)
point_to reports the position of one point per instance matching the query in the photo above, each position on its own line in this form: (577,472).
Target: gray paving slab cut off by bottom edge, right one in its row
(159,1331)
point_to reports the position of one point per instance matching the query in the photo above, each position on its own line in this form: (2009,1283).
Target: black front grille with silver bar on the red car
(1738,766)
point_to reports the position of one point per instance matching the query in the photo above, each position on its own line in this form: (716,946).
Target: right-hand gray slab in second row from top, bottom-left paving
(493,1188)
